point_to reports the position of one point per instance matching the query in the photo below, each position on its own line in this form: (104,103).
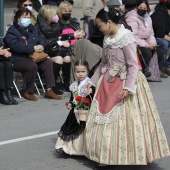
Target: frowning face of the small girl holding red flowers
(81,72)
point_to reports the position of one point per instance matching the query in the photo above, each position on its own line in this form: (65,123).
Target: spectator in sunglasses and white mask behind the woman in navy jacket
(28,4)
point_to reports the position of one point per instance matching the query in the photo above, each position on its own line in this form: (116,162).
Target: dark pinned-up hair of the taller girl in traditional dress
(112,14)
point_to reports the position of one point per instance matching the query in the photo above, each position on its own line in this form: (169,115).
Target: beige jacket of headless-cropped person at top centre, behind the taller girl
(90,9)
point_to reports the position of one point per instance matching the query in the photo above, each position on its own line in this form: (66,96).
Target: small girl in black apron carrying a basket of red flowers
(70,137)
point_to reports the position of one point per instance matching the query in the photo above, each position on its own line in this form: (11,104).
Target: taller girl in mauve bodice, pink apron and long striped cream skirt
(123,126)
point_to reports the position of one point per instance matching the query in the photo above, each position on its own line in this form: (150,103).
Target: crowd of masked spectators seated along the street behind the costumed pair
(47,26)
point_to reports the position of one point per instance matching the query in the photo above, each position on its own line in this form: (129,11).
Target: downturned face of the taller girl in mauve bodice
(103,26)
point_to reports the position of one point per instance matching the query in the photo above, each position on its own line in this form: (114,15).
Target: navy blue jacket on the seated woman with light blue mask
(21,42)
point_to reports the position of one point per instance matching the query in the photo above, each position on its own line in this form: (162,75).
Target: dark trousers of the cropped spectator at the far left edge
(6,74)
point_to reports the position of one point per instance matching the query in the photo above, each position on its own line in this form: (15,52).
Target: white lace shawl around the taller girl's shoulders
(122,38)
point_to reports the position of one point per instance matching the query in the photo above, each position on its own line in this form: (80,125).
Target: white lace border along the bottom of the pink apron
(106,118)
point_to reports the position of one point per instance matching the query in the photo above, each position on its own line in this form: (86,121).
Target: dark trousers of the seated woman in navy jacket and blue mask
(30,69)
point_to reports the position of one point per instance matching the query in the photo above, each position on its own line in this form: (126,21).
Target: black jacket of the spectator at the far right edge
(161,21)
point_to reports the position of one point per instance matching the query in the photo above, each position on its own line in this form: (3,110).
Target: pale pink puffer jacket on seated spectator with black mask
(141,27)
